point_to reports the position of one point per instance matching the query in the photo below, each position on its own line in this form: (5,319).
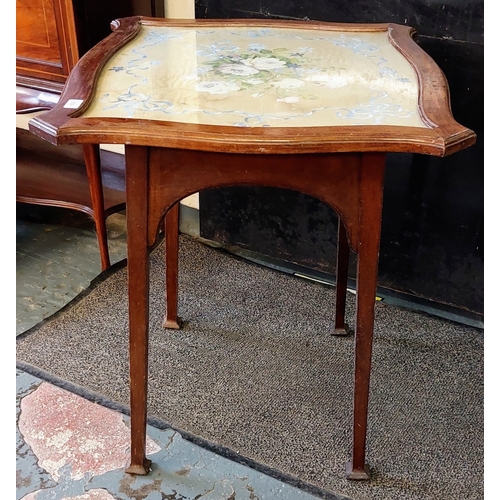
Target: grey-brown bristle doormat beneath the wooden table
(256,374)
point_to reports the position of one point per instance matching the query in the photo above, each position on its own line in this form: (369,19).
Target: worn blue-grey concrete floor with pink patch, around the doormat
(70,448)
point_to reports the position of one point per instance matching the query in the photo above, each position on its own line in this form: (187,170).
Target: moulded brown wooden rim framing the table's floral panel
(444,135)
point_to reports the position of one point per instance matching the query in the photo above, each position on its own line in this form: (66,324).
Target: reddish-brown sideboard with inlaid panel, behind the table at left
(51,35)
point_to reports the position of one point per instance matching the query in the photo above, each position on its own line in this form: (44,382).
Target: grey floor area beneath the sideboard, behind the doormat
(56,258)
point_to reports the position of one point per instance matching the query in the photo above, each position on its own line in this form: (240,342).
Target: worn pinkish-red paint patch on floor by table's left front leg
(63,428)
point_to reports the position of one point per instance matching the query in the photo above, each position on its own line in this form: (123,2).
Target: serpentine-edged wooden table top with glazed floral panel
(257,86)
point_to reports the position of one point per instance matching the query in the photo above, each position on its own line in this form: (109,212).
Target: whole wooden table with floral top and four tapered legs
(307,106)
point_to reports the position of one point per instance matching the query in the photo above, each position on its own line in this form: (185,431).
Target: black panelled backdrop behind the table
(432,226)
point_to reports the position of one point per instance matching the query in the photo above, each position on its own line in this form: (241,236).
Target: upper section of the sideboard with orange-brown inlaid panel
(51,35)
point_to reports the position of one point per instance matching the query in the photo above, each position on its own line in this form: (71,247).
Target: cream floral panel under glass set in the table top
(259,77)
